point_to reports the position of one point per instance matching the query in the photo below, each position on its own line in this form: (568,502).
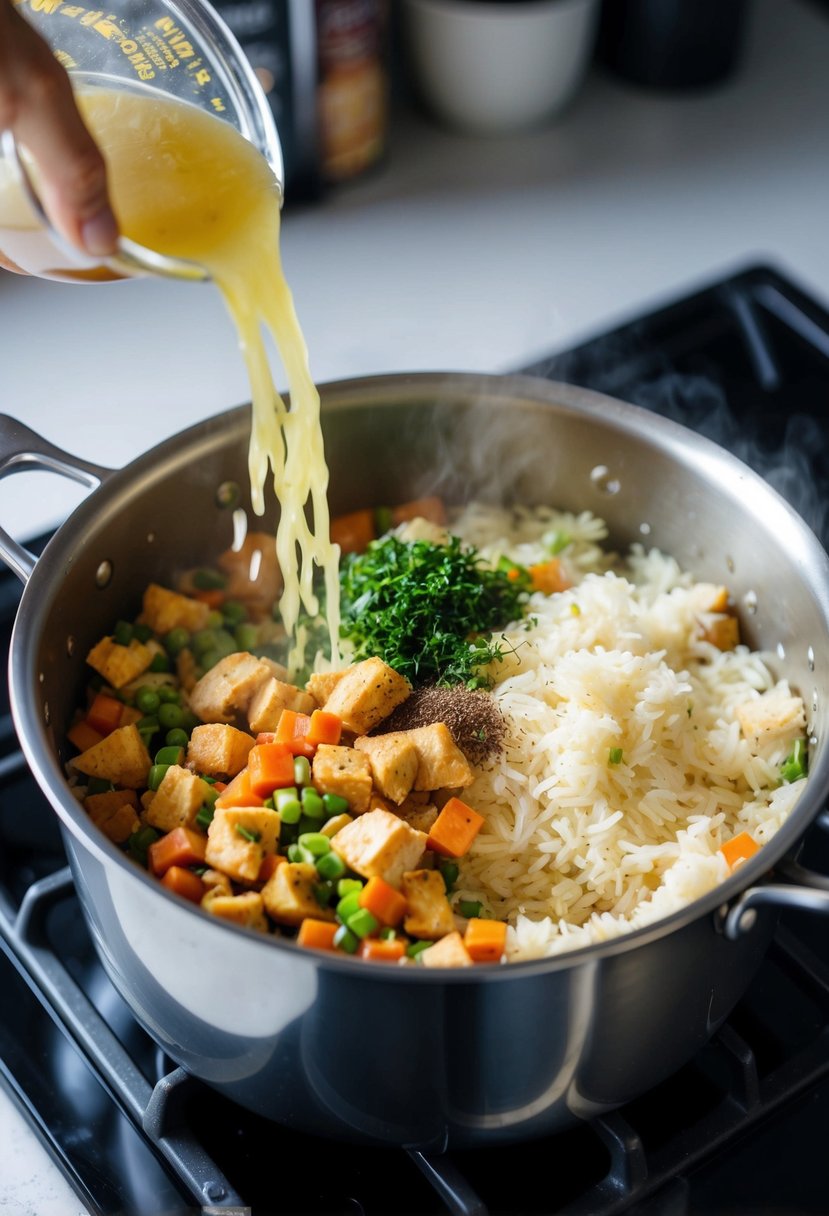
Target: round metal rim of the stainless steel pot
(396,390)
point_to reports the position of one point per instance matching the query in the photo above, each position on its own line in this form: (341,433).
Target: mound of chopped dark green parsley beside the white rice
(428,610)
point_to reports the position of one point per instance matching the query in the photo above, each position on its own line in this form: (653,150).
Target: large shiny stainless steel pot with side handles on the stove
(409,1056)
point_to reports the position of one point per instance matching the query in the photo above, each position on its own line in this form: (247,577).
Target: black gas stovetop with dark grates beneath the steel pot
(740,1130)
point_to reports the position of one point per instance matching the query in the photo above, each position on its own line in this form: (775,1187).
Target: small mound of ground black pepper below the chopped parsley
(471,716)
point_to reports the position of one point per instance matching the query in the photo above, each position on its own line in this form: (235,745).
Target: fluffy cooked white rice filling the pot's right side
(577,848)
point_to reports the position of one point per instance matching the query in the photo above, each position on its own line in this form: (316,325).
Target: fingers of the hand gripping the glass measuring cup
(38,106)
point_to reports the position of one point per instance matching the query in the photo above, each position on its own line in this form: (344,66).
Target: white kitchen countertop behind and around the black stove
(464,255)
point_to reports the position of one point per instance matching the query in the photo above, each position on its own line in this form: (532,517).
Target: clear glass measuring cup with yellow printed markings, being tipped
(178,49)
